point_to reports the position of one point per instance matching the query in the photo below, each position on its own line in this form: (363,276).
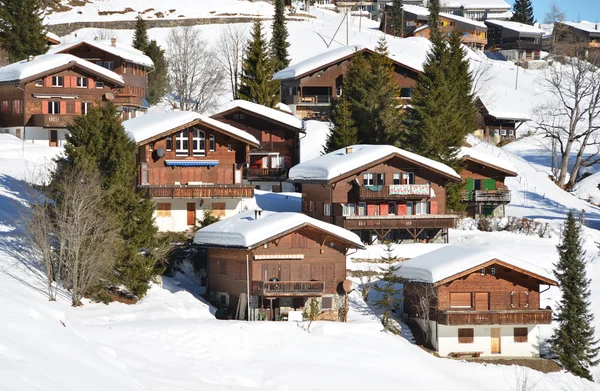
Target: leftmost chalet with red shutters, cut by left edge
(39,97)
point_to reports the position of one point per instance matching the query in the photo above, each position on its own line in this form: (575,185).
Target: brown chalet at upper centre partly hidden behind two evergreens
(309,86)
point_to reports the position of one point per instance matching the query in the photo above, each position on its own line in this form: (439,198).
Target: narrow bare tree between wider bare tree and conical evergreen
(230,52)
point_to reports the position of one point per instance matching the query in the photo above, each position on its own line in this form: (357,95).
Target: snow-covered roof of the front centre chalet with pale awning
(245,230)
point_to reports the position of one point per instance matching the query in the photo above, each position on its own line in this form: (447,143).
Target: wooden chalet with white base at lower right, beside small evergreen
(480,302)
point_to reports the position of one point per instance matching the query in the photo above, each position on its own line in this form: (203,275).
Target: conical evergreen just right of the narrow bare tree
(256,83)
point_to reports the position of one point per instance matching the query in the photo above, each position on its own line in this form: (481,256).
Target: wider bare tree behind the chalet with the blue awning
(195,75)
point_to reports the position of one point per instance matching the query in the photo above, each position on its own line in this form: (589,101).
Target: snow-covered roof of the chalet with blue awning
(154,123)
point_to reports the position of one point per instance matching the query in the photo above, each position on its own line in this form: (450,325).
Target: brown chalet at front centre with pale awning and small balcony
(279,261)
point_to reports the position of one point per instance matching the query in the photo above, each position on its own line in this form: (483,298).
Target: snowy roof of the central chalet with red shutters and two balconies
(334,164)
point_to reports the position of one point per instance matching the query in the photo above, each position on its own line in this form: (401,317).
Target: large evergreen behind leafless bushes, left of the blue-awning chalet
(98,141)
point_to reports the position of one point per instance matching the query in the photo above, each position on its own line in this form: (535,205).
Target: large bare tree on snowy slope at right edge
(572,118)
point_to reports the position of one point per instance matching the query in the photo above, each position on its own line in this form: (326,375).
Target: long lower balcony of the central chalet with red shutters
(399,222)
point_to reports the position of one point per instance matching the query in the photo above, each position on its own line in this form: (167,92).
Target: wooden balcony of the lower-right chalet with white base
(460,318)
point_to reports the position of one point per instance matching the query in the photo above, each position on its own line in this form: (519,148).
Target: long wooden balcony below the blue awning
(200,191)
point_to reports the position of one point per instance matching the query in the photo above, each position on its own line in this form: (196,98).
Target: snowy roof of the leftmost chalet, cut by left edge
(38,65)
